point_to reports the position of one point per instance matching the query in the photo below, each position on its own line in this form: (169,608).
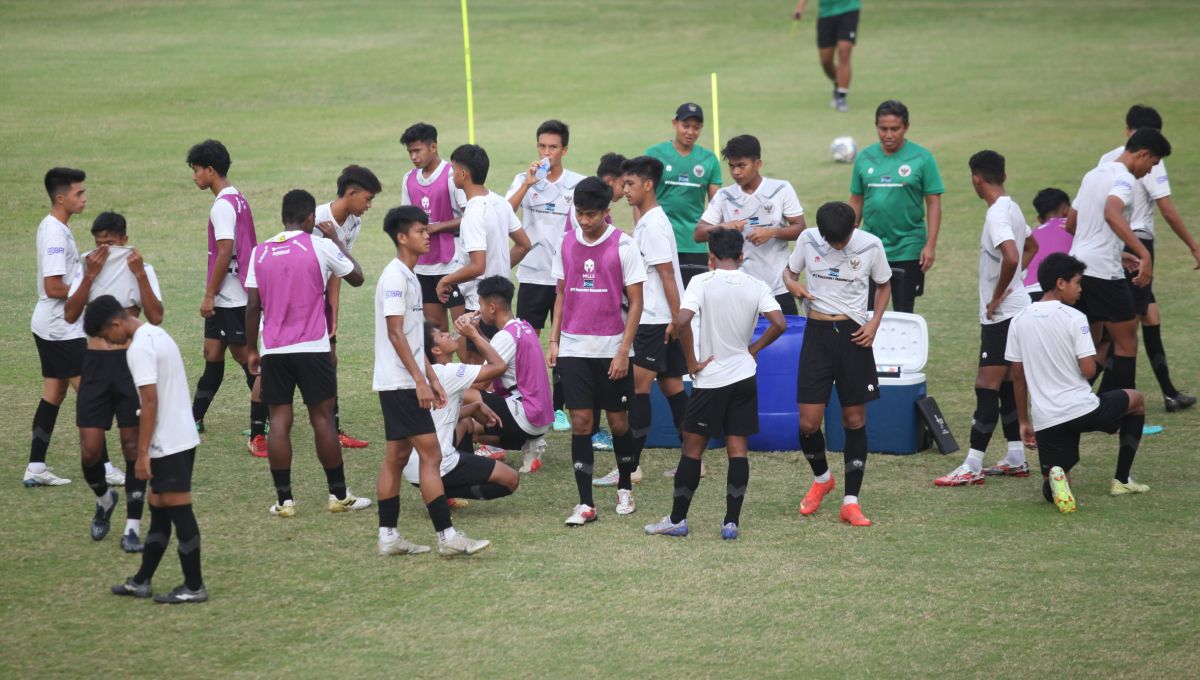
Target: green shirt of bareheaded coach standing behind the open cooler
(895,190)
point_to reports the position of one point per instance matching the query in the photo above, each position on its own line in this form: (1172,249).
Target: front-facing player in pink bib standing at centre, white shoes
(598,270)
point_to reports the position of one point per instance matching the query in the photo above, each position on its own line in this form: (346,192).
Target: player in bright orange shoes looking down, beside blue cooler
(837,350)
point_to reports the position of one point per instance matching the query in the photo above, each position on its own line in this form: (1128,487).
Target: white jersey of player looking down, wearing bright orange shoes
(839,281)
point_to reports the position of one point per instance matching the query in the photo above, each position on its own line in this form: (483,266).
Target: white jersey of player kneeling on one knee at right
(1049,339)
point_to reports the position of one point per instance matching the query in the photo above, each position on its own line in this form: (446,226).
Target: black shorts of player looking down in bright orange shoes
(829,357)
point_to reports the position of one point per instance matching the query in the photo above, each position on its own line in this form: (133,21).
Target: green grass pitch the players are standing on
(983,582)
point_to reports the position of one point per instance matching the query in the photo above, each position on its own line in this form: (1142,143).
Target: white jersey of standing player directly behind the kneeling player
(1096,244)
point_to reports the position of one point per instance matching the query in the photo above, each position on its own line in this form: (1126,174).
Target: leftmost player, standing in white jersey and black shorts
(61,345)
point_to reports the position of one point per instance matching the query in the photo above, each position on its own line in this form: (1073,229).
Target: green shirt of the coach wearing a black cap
(683,192)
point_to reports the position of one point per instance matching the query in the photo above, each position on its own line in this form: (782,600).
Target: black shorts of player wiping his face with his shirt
(106,390)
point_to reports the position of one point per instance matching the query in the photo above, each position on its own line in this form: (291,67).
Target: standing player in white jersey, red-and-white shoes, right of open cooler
(1004,248)
